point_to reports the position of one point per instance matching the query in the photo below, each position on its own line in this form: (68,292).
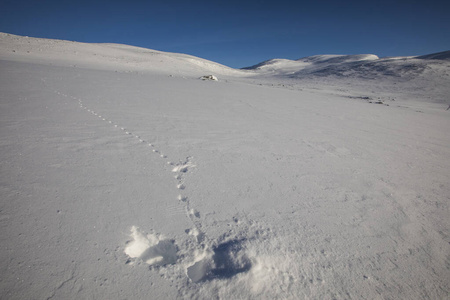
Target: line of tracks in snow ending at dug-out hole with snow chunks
(206,260)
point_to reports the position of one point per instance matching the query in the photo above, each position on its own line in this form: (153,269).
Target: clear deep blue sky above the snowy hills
(240,33)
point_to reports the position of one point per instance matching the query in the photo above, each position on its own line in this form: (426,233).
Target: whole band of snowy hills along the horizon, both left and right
(421,78)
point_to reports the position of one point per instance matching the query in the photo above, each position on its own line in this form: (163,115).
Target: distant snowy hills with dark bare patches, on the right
(422,78)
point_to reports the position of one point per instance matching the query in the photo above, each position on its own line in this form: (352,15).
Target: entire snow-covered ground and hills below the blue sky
(125,176)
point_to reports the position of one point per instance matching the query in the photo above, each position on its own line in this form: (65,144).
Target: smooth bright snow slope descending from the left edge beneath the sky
(105,56)
